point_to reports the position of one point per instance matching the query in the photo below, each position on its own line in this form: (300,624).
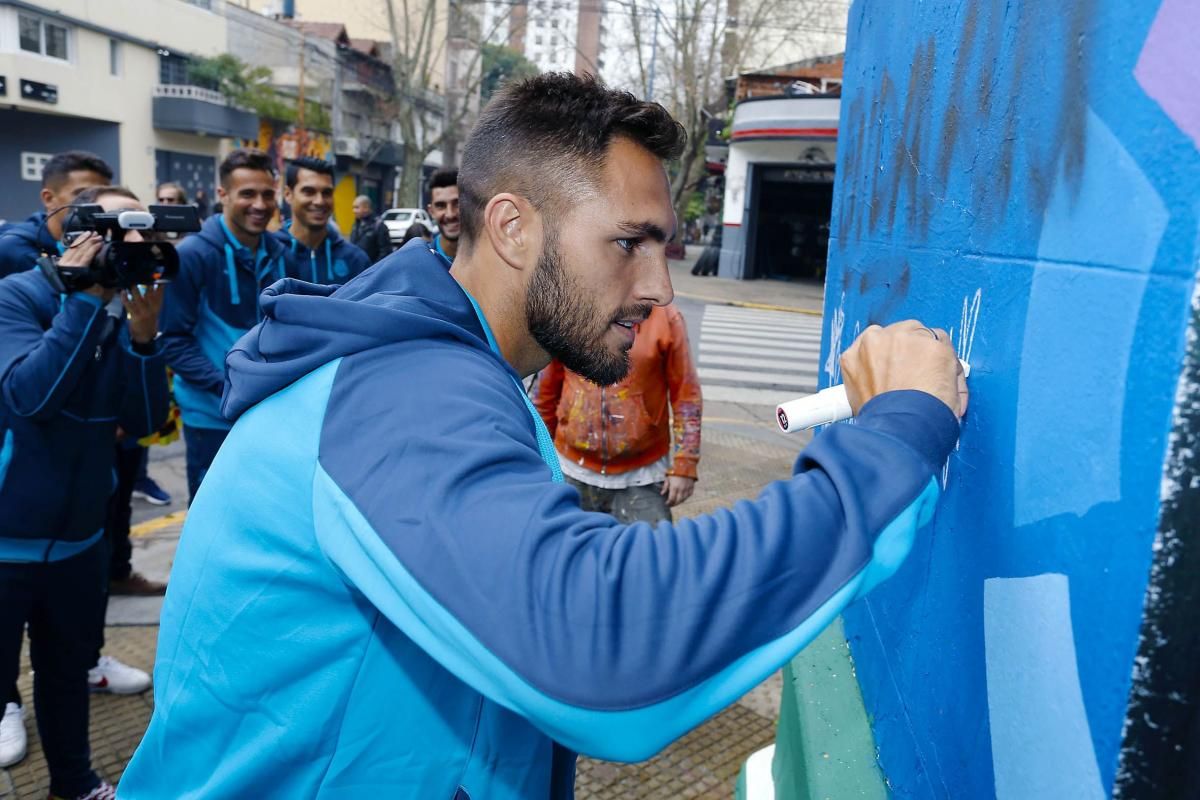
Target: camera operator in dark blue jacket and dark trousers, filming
(71,371)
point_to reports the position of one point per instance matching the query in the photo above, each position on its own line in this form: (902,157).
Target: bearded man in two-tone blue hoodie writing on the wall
(387,591)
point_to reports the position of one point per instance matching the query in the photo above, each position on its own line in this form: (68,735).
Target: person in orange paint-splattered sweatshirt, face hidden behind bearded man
(615,443)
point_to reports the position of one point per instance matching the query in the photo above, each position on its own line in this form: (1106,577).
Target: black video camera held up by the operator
(121,264)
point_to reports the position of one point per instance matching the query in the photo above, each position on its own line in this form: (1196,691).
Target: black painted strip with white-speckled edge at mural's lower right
(1161,753)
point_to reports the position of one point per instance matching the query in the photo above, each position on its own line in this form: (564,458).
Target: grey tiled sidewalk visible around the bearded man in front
(704,765)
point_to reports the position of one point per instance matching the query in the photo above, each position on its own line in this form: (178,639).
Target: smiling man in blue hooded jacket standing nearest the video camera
(214,300)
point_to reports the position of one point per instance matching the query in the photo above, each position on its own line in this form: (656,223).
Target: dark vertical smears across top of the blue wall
(974,121)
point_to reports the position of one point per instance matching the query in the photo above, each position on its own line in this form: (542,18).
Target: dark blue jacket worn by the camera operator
(69,377)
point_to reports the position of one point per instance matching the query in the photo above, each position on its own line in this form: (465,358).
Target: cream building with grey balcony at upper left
(98,77)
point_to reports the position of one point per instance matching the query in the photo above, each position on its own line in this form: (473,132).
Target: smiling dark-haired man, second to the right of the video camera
(317,252)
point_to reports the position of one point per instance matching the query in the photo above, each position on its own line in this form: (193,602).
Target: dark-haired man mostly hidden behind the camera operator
(63,178)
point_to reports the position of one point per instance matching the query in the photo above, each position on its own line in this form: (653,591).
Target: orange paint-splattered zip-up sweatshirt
(614,430)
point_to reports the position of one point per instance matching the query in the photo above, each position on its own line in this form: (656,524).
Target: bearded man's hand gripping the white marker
(904,356)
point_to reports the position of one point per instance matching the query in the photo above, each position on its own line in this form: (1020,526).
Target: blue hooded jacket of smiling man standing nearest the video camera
(211,304)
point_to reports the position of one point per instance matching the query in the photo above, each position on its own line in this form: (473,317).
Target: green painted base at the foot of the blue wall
(824,747)
